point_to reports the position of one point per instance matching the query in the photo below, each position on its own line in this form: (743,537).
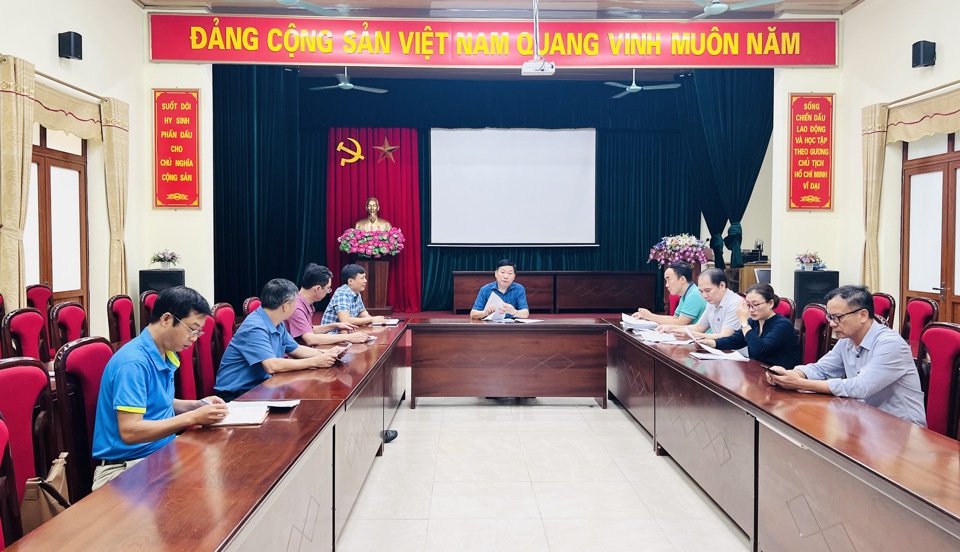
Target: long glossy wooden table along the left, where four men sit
(242,488)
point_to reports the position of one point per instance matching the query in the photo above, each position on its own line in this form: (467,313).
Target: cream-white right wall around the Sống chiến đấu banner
(875,67)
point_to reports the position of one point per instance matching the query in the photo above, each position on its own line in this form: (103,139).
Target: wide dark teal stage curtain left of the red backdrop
(267,217)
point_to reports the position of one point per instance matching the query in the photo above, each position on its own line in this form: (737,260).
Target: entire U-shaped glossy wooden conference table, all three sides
(794,471)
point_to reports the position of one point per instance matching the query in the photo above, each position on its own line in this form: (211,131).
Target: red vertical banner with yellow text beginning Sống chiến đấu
(811,151)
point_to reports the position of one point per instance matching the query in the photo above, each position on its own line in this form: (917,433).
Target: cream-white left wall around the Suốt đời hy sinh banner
(115,64)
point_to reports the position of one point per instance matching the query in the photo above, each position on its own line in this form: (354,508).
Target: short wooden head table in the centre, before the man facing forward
(459,357)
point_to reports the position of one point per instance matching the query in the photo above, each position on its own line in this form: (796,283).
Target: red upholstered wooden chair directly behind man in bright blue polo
(79,367)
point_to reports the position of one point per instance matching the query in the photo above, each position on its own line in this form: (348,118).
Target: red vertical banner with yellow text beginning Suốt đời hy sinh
(176,148)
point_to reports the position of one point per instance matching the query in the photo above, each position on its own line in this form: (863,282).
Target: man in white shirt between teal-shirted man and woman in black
(719,318)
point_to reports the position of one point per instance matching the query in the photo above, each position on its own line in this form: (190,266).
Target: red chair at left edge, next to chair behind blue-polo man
(25,402)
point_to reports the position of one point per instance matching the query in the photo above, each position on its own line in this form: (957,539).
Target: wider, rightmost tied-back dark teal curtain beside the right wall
(736,108)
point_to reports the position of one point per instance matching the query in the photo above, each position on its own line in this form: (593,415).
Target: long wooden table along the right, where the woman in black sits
(795,471)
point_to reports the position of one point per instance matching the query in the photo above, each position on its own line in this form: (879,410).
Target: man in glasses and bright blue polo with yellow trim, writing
(136,411)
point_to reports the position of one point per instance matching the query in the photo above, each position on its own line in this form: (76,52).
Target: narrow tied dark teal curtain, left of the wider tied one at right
(701,170)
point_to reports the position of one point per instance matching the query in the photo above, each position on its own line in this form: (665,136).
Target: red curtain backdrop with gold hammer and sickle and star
(395,184)
